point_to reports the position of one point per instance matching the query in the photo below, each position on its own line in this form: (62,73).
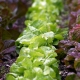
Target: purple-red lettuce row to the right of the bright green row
(69,50)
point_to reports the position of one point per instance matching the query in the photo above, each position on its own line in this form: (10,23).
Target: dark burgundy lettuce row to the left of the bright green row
(10,28)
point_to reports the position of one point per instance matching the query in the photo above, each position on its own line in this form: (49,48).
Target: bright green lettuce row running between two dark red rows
(37,54)
